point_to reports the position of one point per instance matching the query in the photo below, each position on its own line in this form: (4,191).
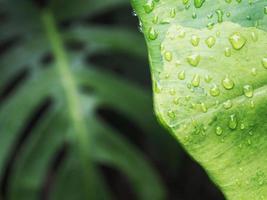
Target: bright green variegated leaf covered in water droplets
(208,61)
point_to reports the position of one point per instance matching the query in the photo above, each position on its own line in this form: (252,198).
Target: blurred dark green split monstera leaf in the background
(49,102)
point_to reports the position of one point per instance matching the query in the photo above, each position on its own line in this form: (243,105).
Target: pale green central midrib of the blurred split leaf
(76,115)
